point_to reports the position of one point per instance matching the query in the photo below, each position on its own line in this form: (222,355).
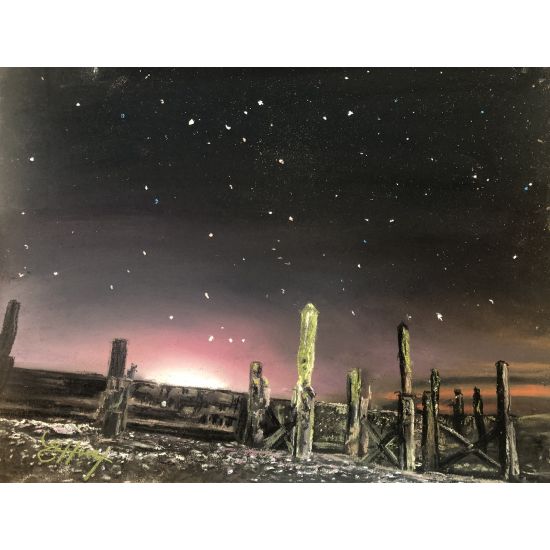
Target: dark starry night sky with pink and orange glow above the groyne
(196,211)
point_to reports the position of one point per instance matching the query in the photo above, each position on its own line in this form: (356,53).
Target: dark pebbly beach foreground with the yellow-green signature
(27,456)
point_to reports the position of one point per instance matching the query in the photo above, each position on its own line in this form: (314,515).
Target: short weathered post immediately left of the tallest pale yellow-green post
(257,402)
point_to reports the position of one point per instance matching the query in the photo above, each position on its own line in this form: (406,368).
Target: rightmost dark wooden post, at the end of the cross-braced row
(508,455)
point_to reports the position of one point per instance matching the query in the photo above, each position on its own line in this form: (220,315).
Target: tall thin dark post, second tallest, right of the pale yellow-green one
(406,401)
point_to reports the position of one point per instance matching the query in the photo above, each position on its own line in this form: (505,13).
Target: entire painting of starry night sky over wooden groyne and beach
(274,275)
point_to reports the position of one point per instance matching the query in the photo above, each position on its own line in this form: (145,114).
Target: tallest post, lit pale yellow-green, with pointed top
(303,398)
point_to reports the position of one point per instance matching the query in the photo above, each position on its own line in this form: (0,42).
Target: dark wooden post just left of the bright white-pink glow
(112,409)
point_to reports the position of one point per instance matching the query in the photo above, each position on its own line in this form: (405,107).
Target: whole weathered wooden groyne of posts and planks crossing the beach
(415,436)
